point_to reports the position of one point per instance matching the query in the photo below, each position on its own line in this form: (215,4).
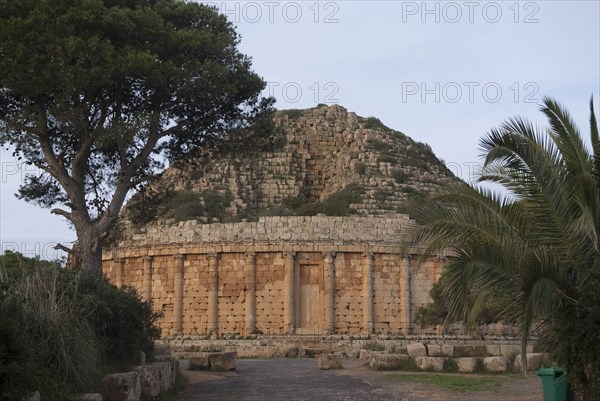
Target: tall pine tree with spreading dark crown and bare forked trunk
(98,93)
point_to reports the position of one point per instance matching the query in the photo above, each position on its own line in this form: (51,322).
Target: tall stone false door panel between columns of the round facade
(310,277)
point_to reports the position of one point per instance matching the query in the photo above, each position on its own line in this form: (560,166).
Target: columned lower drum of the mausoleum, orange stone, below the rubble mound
(280,275)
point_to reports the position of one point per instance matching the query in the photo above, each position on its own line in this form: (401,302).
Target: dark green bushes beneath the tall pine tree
(61,329)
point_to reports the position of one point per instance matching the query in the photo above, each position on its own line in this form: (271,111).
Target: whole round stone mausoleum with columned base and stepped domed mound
(330,259)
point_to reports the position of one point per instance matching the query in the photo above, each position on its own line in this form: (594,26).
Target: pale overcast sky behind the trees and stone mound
(443,73)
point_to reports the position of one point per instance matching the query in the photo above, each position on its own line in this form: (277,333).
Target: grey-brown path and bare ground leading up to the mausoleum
(300,379)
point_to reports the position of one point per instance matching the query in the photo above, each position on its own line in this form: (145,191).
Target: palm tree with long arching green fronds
(534,250)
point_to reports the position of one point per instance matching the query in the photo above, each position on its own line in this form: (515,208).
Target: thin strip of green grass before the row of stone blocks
(459,384)
